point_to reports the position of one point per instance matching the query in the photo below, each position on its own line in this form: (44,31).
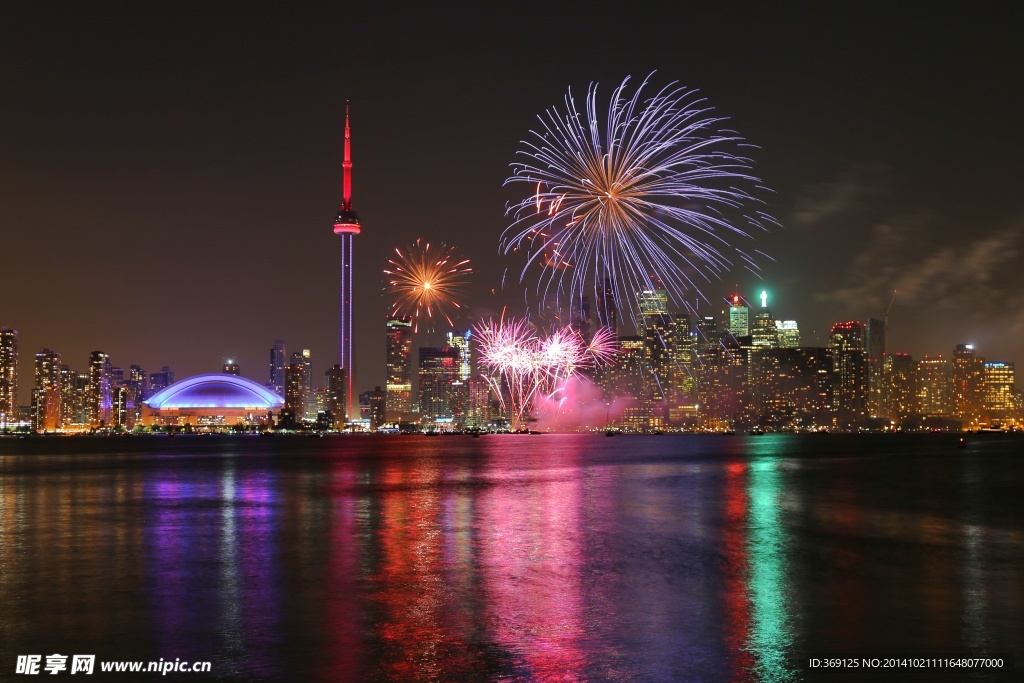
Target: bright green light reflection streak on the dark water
(772,637)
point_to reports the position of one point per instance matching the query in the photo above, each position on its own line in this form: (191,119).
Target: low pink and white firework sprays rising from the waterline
(523,365)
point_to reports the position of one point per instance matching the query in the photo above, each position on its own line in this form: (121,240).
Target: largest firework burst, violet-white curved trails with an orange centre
(657,192)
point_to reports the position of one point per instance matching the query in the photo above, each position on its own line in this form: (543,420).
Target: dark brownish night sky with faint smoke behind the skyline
(169,173)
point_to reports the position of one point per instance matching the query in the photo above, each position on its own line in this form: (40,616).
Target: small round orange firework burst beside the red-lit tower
(425,282)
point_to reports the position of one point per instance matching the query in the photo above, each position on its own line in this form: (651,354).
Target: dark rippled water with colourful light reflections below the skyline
(566,558)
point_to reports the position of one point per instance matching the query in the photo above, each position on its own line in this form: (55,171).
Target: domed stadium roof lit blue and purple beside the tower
(216,391)
